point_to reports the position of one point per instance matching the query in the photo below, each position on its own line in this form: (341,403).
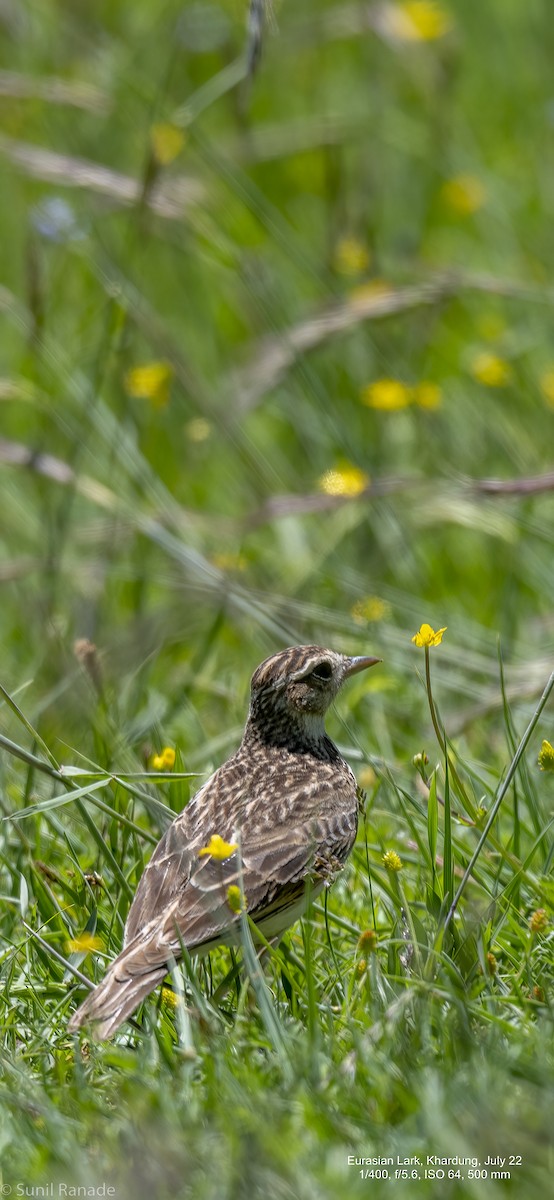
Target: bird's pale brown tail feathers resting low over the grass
(129,981)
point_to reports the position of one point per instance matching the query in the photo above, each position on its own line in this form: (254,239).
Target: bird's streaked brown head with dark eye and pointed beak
(298,686)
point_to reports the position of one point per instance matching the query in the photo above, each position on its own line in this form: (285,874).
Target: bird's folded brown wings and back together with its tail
(184,898)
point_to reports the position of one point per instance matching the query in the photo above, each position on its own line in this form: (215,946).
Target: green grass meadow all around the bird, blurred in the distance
(188,536)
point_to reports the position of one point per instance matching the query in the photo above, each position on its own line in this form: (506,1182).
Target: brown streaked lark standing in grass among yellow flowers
(286,799)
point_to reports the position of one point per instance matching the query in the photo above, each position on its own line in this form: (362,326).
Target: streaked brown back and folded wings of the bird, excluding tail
(306,826)
